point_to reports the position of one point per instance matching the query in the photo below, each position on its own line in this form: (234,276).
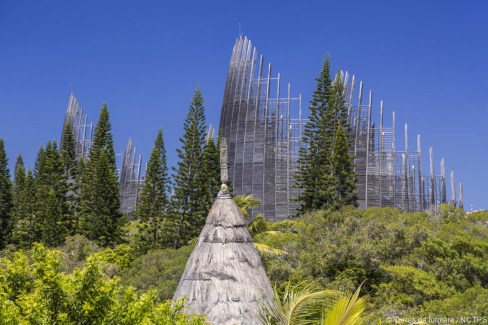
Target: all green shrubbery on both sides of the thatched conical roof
(408,264)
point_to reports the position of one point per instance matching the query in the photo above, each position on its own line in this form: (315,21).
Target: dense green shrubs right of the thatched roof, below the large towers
(410,263)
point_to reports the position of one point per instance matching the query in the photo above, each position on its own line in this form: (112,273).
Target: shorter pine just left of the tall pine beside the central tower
(152,206)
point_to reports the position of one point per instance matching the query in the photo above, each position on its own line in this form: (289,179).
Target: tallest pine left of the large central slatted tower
(186,210)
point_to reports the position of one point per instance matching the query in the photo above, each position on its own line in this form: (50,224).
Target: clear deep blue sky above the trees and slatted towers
(428,61)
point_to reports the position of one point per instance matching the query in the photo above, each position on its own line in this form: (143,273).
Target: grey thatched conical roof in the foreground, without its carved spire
(224,278)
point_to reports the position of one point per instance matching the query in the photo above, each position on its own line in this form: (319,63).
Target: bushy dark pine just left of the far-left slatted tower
(51,209)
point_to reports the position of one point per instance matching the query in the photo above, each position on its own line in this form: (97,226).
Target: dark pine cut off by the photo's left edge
(6,202)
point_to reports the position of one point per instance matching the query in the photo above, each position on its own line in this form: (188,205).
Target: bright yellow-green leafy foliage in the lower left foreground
(35,288)
